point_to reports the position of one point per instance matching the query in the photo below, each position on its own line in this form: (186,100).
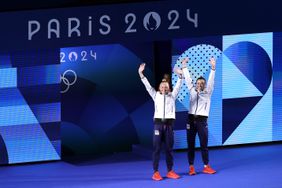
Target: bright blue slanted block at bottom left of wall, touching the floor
(27,143)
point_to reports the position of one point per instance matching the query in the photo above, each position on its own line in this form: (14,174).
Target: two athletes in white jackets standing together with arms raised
(164,116)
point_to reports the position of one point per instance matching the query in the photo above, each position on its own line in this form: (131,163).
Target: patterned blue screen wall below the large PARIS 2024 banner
(103,107)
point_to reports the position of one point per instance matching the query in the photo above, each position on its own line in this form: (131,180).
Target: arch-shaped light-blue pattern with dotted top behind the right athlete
(198,65)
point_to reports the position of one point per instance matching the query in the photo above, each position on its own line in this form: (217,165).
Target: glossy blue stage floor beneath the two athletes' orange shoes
(256,166)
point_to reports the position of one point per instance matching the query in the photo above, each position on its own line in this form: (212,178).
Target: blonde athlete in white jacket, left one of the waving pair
(164,117)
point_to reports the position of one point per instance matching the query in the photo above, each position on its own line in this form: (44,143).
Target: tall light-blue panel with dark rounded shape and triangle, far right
(250,57)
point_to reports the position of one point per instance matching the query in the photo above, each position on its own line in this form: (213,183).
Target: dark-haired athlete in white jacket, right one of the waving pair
(200,99)
